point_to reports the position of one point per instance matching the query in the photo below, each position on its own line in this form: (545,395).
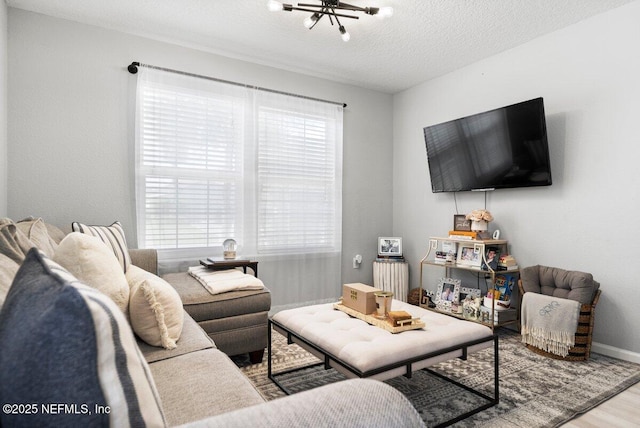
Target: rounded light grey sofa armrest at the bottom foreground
(352,403)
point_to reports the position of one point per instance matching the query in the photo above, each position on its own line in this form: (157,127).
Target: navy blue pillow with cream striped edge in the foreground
(65,342)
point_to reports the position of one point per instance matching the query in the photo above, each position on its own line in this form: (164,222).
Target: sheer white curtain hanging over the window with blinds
(216,160)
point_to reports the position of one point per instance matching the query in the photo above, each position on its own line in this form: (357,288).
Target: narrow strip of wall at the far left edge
(3,109)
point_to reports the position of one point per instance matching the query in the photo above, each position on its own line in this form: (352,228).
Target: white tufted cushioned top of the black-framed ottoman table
(367,347)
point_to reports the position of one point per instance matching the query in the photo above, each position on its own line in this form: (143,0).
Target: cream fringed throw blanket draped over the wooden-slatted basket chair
(549,323)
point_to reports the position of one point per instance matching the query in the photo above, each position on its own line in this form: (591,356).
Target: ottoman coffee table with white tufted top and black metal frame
(357,349)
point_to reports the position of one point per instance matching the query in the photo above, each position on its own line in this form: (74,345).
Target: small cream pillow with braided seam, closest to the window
(155,308)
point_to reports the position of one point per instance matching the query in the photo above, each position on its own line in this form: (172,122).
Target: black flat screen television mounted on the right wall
(502,148)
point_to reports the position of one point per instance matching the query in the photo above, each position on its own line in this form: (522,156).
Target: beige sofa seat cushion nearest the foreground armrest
(208,384)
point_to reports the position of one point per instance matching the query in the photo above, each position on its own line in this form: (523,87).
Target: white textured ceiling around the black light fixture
(422,40)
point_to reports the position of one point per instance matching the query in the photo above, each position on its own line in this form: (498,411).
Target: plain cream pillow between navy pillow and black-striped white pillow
(94,264)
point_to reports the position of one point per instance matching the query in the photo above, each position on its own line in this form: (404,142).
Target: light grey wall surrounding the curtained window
(71,129)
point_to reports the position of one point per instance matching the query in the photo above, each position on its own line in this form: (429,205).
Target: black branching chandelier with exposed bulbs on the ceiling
(334,9)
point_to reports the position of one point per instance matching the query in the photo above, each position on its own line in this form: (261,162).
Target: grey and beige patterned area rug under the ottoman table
(535,391)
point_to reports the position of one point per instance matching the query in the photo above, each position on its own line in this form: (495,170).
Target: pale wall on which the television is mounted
(588,76)
